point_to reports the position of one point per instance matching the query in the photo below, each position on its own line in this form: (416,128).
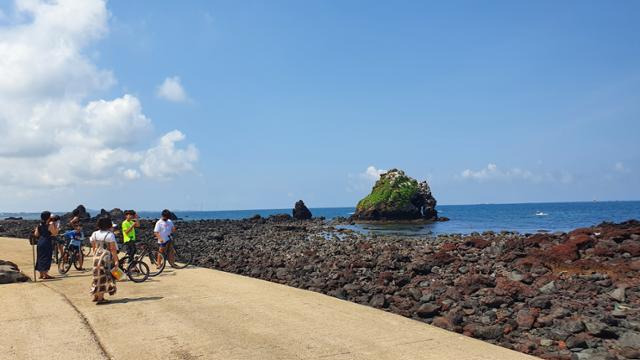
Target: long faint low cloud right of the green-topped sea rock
(493,173)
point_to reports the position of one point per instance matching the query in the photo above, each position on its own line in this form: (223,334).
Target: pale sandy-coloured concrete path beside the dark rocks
(198,313)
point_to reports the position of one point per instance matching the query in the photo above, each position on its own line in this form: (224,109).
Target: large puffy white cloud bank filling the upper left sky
(55,131)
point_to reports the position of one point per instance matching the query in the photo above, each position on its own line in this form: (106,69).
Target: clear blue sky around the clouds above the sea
(489,101)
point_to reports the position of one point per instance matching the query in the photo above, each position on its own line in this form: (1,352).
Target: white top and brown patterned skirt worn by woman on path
(103,282)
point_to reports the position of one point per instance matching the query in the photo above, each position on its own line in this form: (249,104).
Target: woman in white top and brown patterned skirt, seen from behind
(105,258)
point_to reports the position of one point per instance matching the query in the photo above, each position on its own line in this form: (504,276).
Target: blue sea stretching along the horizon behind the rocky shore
(464,219)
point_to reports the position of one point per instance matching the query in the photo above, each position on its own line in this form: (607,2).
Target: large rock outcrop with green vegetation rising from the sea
(396,196)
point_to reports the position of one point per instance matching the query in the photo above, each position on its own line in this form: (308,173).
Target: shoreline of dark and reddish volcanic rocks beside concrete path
(558,296)
